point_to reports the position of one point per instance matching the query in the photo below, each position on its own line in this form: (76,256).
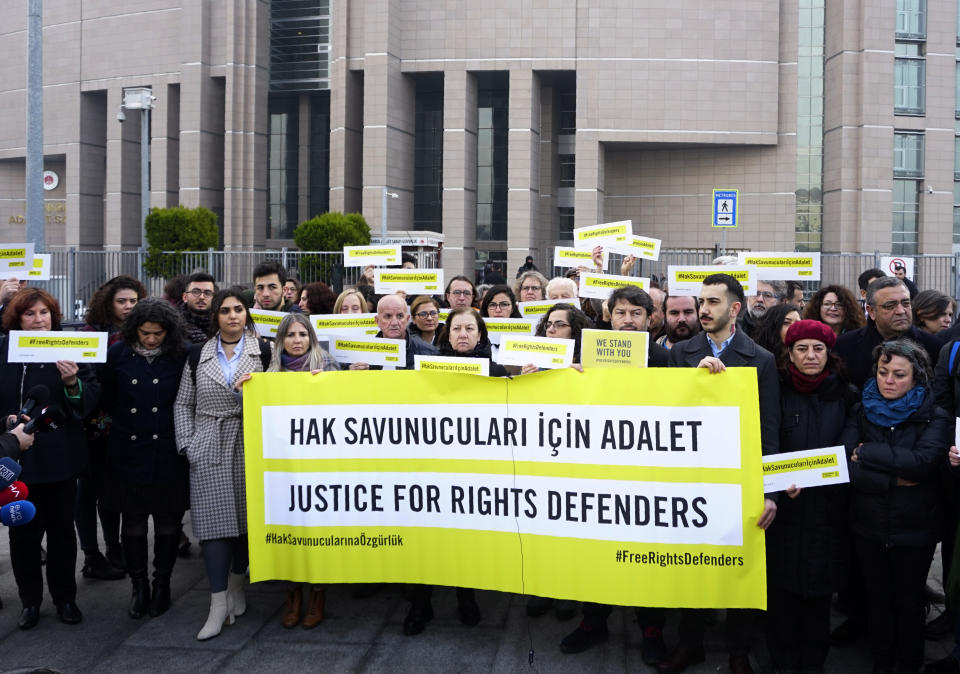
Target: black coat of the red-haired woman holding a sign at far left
(55,455)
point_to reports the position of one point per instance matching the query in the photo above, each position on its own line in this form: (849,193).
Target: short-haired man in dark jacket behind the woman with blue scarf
(890,315)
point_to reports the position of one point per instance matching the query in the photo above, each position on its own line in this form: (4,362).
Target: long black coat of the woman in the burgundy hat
(807,543)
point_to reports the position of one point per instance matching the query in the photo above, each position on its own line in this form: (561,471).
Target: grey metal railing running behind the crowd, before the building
(76,274)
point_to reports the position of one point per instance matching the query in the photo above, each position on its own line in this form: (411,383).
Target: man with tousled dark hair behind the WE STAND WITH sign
(630,309)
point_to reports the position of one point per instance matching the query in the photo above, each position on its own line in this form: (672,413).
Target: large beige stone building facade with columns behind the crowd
(502,124)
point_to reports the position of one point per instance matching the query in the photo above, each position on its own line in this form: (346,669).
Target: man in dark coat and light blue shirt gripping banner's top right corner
(719,346)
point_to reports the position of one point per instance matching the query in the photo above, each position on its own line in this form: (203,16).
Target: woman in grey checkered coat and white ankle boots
(209,430)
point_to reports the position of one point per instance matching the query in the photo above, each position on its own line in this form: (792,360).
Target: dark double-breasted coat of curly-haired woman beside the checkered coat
(139,397)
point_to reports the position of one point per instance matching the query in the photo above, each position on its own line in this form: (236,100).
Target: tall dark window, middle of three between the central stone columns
(492,133)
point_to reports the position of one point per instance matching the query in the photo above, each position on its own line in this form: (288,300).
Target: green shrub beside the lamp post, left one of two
(176,229)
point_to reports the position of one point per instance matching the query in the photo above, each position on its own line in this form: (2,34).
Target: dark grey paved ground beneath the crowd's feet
(358,635)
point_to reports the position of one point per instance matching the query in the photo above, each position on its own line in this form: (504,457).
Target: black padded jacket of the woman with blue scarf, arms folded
(916,450)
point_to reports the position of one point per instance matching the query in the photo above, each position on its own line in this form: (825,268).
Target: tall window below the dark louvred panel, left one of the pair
(283,174)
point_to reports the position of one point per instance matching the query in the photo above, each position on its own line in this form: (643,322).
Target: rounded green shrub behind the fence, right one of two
(329,232)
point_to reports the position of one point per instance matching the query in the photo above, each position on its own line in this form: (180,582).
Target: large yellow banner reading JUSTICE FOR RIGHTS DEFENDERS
(650,478)
